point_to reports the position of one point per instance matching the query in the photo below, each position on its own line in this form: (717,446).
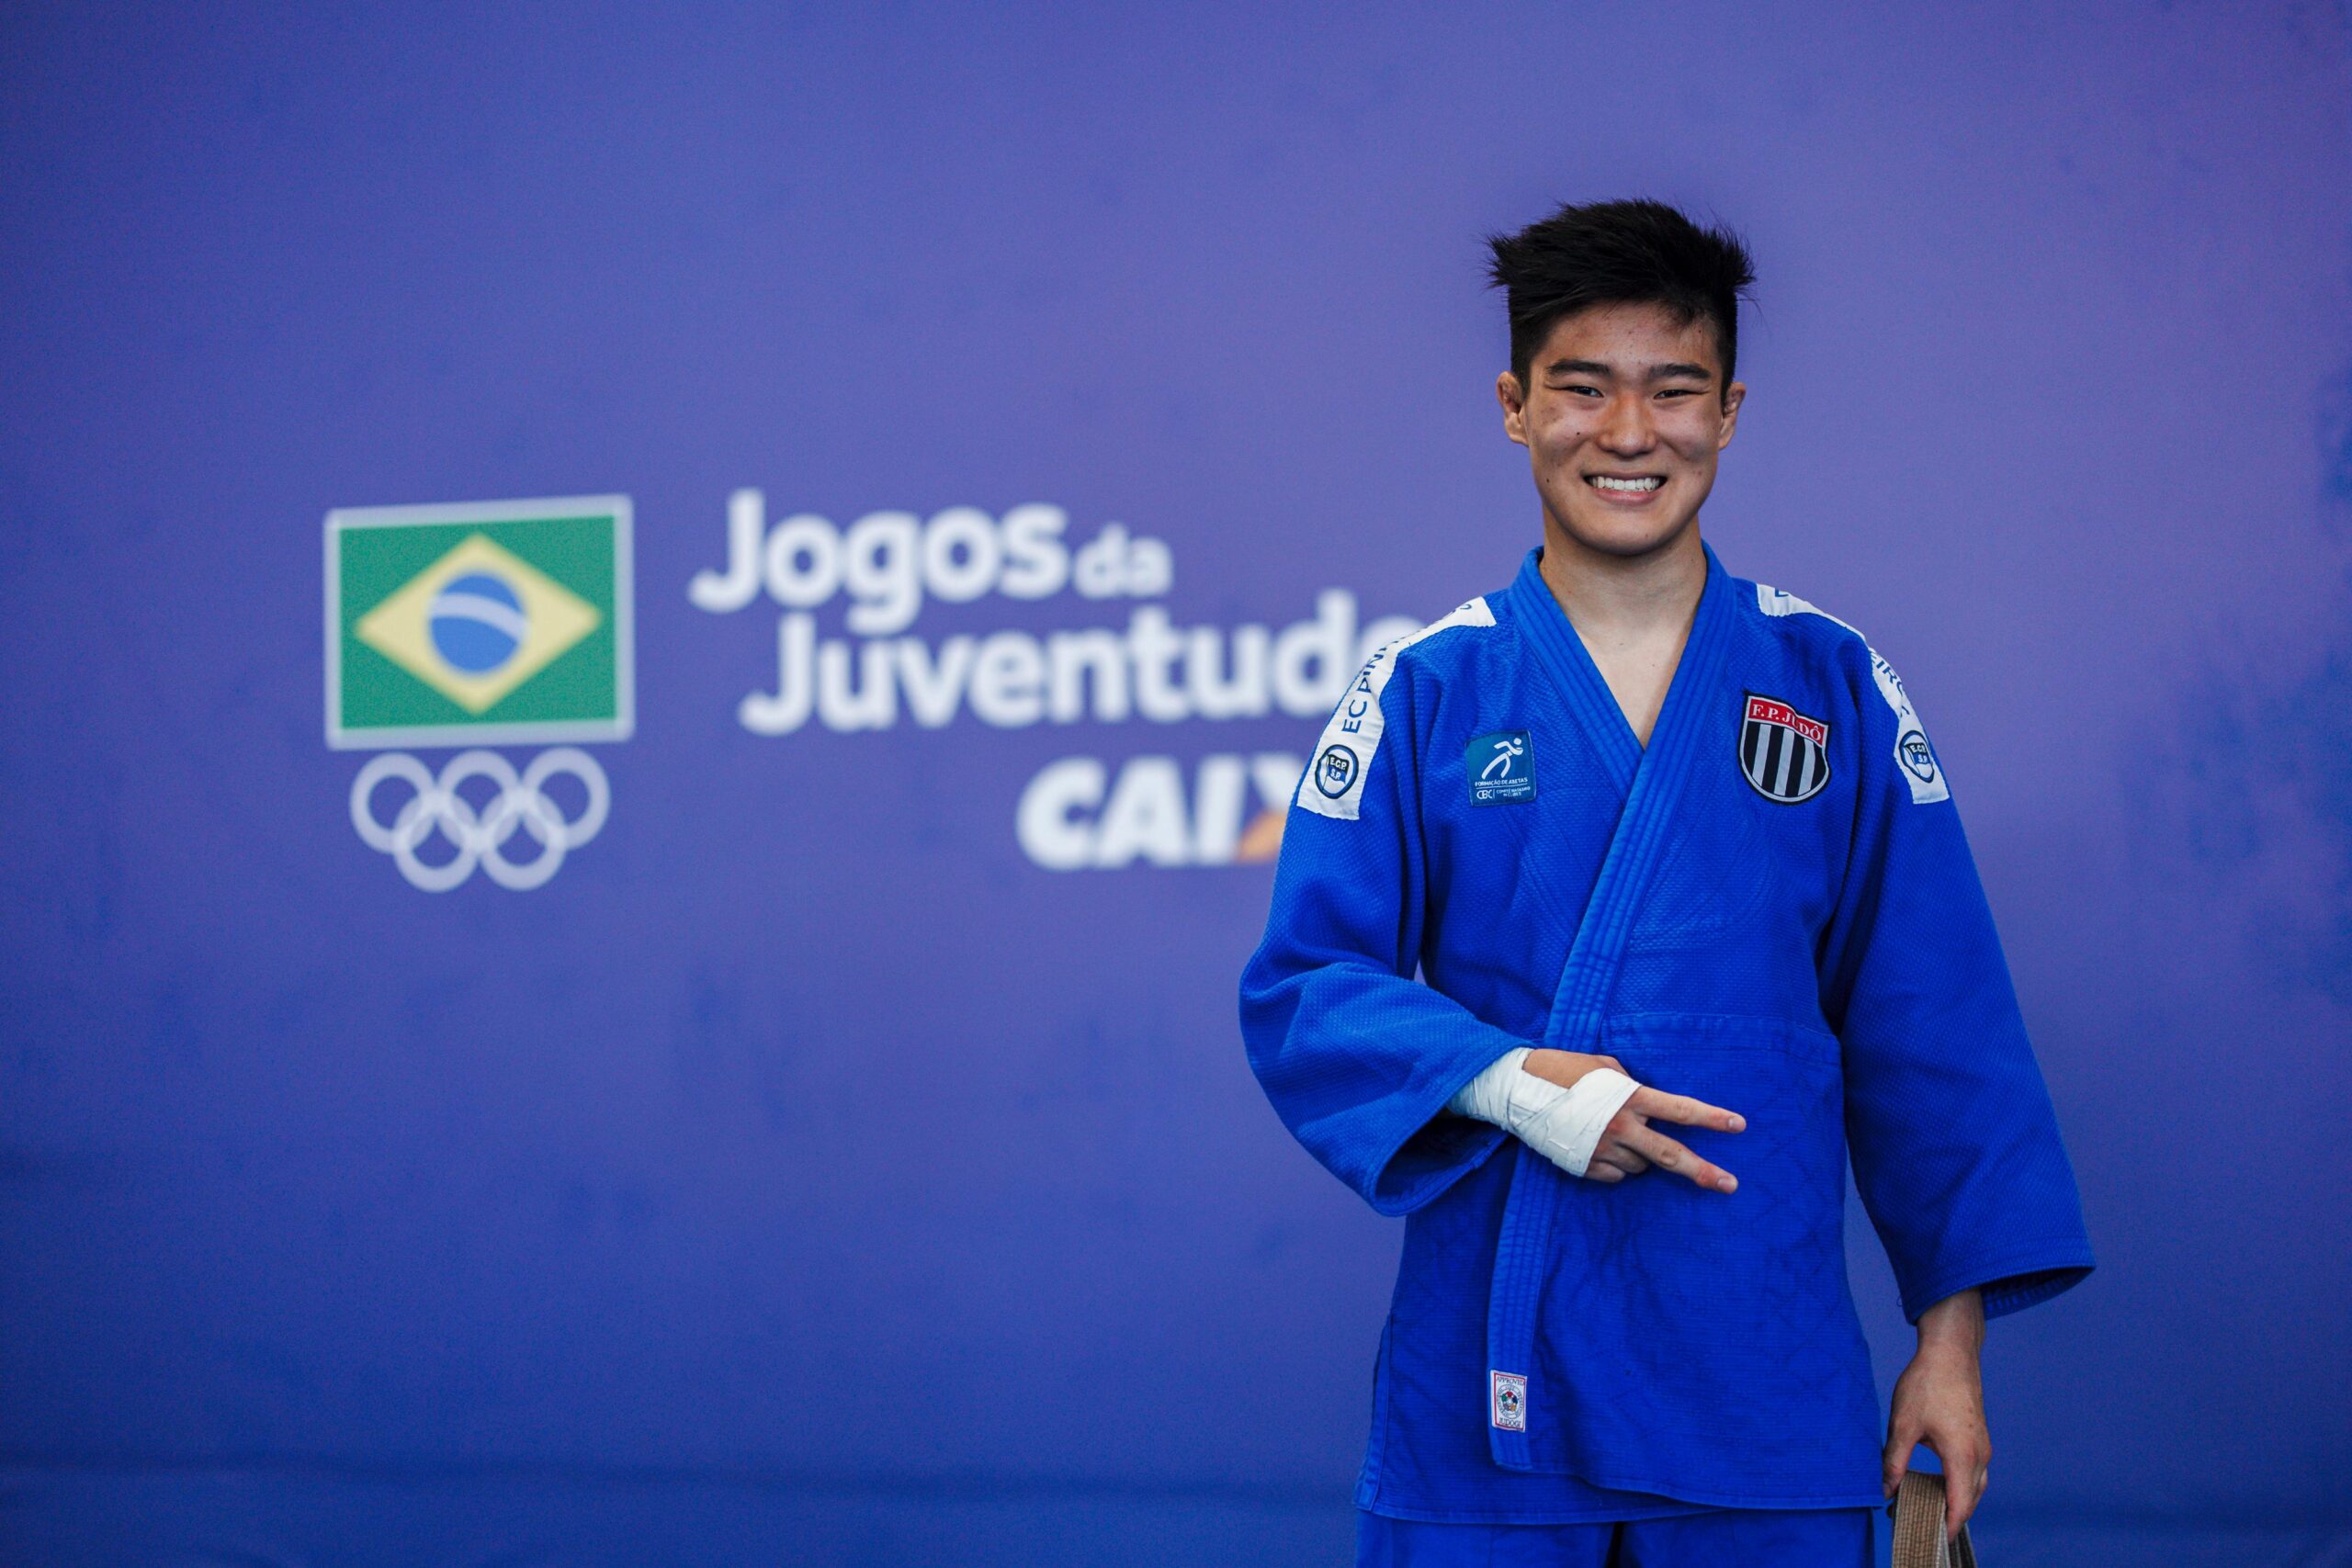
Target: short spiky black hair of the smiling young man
(1619,253)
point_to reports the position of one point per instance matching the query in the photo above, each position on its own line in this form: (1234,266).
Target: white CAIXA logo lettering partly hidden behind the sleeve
(1083,815)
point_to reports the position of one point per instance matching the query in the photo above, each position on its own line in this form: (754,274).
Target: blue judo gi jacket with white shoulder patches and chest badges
(1770,909)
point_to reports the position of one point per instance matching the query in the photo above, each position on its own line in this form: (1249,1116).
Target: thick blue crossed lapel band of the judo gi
(1657,782)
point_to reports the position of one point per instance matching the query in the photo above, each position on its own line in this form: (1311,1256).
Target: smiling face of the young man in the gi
(1622,424)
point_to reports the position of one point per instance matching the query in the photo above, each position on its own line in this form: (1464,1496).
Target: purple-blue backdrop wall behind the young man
(808,1170)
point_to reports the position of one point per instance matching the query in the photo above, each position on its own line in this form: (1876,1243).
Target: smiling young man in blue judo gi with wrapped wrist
(1666,847)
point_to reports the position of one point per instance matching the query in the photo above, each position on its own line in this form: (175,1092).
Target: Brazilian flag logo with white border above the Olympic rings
(479,624)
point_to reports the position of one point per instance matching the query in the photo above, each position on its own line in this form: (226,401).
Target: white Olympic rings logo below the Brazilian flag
(481,836)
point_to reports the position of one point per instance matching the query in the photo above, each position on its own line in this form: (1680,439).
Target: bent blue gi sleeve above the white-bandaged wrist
(1356,1054)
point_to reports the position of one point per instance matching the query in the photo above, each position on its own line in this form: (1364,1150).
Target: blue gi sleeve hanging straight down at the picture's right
(1951,1127)
